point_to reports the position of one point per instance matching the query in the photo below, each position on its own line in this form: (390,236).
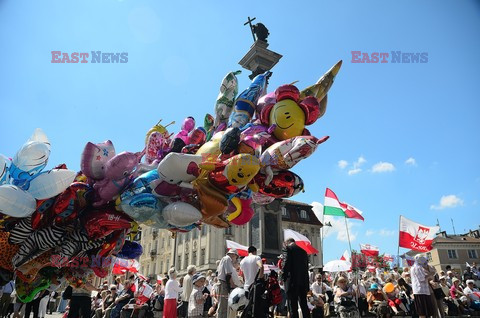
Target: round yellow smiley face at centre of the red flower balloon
(289,118)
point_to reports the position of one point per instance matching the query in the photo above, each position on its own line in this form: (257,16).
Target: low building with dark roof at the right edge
(454,250)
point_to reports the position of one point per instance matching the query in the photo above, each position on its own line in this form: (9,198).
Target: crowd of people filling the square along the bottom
(243,288)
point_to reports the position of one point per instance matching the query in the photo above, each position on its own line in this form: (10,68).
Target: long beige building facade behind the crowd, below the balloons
(204,247)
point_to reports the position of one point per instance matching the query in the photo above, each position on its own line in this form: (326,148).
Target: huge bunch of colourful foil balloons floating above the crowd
(58,224)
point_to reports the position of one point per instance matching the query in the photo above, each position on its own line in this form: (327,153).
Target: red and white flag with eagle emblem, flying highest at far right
(416,236)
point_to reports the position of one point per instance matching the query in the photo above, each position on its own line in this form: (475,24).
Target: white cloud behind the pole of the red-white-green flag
(338,224)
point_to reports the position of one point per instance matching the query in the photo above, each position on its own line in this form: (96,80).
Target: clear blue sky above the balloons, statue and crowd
(178,53)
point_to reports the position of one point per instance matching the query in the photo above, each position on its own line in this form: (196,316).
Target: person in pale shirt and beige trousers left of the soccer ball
(226,274)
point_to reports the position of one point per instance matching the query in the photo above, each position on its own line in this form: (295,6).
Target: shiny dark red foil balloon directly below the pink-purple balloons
(100,223)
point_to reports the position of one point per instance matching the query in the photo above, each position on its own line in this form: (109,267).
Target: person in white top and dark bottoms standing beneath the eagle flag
(421,290)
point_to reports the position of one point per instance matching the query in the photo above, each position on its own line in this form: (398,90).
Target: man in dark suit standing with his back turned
(295,276)
